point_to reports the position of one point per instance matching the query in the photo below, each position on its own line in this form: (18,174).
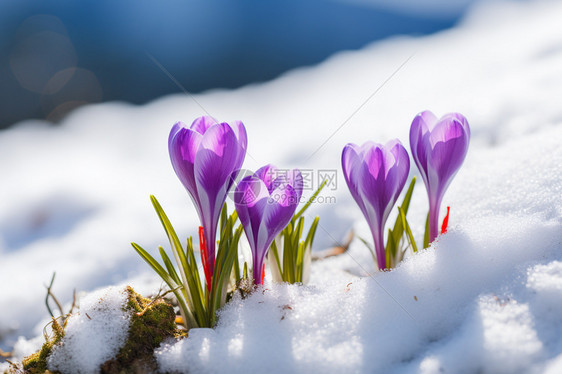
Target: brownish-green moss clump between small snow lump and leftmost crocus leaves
(151,322)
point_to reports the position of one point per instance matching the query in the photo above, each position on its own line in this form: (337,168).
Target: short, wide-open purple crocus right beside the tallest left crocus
(265,204)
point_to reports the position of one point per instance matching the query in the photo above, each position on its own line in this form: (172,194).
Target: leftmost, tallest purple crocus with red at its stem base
(207,158)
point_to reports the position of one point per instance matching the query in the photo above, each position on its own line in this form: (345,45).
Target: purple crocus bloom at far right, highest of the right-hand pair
(439,147)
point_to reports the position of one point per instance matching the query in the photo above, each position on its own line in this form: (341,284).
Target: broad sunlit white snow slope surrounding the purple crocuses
(487,296)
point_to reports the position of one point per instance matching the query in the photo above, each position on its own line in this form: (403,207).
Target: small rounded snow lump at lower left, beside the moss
(94,335)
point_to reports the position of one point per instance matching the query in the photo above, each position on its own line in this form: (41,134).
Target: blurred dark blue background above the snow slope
(57,55)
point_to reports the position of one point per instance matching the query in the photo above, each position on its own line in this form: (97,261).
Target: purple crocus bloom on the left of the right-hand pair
(375,175)
